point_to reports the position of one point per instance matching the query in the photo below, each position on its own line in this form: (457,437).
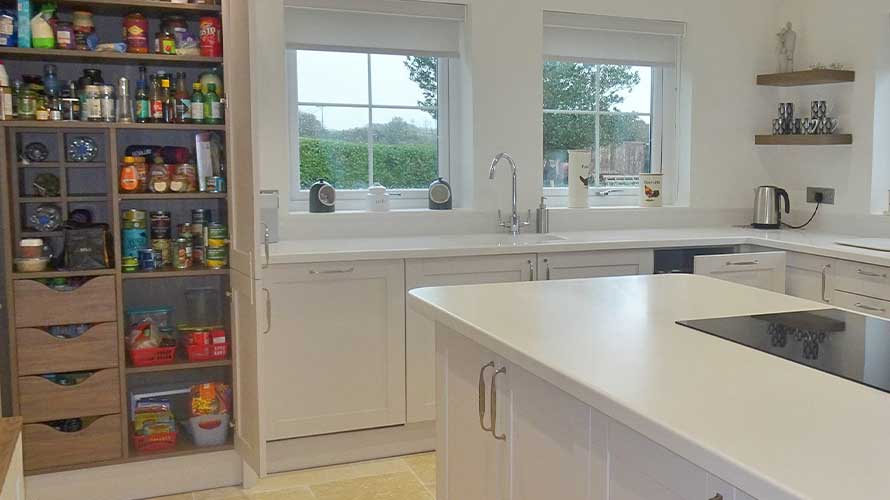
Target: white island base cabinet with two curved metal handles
(553,445)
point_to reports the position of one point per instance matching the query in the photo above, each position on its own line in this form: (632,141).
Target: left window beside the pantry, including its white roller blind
(369,99)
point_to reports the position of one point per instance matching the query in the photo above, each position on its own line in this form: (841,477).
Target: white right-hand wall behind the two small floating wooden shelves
(856,34)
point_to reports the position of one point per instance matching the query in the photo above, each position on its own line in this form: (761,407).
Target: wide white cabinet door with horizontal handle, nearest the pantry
(335,347)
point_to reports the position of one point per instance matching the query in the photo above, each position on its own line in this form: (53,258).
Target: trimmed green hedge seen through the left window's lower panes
(345,164)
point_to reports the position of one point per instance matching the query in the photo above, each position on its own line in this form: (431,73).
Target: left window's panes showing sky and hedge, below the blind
(368,118)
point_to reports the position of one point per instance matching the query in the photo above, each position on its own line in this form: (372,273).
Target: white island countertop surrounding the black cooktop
(775,429)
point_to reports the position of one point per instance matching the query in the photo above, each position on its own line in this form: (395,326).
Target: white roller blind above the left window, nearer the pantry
(387,26)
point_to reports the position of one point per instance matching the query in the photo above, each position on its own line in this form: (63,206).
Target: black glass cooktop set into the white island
(841,343)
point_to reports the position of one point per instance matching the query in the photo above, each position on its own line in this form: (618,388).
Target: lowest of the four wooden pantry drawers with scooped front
(45,447)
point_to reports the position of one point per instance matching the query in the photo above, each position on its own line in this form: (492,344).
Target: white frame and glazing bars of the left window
(356,199)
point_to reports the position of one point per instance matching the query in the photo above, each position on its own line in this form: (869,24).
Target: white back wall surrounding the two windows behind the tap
(727,42)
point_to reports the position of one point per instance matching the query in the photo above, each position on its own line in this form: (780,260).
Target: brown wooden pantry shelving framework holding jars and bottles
(92,185)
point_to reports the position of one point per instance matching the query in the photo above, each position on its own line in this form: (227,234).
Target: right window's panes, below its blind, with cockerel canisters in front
(604,108)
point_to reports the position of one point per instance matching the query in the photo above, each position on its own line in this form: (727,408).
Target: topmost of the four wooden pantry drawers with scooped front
(38,305)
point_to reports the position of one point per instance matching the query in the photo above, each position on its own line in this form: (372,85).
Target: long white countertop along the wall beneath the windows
(330,250)
